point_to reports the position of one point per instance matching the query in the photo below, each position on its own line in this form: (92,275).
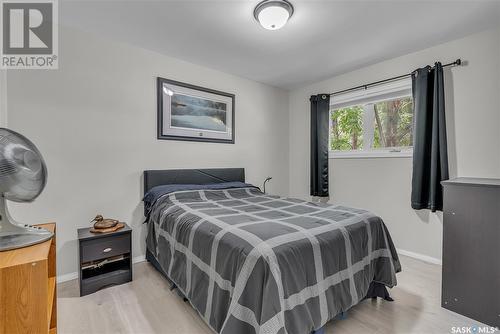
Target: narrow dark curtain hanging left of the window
(320,106)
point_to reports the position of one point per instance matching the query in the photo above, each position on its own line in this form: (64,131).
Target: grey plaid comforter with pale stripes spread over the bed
(253,263)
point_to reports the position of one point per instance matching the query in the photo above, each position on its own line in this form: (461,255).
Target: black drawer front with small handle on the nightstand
(100,248)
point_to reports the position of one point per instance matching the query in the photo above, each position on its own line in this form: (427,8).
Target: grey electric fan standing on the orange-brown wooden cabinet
(23,176)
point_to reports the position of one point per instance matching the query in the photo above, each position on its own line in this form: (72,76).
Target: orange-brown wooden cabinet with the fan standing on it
(28,301)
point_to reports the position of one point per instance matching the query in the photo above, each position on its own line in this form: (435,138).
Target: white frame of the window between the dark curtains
(392,90)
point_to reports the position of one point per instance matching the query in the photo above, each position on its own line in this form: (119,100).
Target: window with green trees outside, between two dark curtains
(376,122)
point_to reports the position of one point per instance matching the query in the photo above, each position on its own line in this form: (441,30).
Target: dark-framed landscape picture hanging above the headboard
(187,112)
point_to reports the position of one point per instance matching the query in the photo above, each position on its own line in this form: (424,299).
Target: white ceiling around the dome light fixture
(322,39)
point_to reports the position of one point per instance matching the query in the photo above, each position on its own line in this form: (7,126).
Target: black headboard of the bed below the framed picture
(153,178)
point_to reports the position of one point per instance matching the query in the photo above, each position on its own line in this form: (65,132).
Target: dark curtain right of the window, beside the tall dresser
(430,155)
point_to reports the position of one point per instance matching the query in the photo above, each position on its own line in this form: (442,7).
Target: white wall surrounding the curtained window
(383,185)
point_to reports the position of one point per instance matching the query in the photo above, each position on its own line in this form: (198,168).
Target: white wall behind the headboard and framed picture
(94,120)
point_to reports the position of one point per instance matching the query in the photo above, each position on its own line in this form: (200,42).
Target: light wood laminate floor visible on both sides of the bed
(146,305)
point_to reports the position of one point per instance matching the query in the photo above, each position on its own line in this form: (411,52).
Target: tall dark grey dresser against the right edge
(471,248)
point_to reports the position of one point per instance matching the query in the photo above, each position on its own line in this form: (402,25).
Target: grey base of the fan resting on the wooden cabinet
(16,236)
